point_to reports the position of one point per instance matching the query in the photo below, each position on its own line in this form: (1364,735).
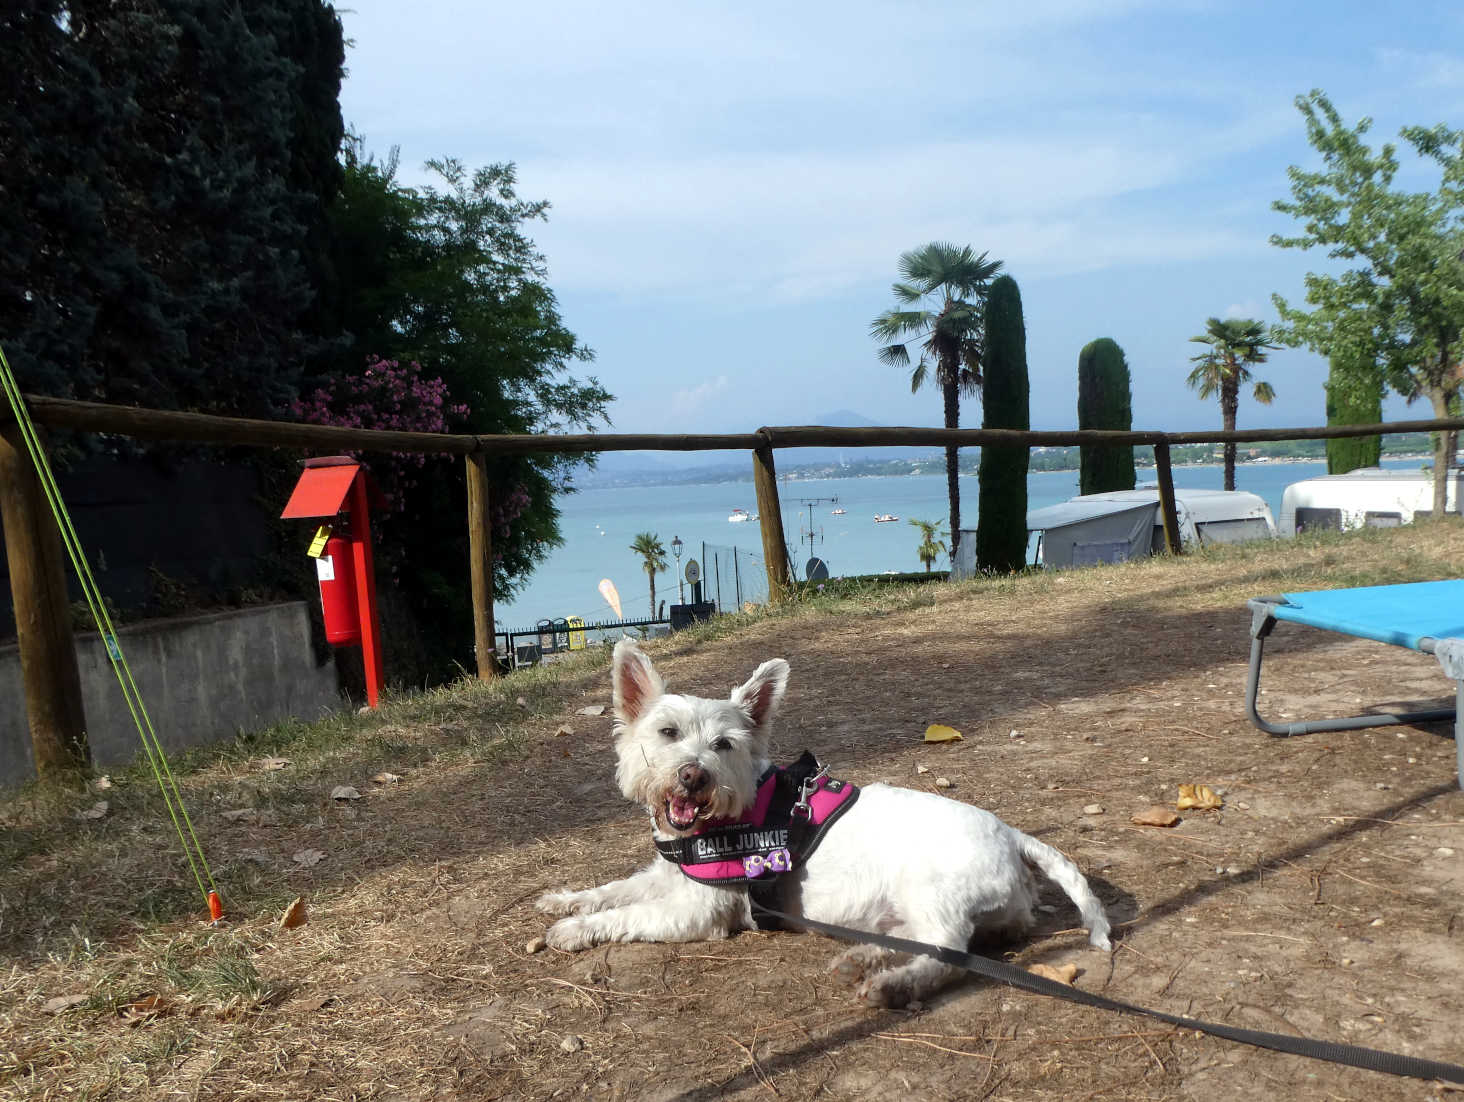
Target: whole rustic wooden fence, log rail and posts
(37,570)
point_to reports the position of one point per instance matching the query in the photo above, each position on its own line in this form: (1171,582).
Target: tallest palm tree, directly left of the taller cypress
(942,301)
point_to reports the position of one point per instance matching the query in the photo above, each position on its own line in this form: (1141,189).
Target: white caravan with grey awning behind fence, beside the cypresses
(1127,525)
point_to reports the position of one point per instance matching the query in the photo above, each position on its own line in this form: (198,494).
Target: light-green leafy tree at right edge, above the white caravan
(1399,310)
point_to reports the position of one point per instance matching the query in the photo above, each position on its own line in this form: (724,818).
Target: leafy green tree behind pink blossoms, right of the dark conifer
(447,277)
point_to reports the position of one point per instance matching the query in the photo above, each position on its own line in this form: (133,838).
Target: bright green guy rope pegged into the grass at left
(172,798)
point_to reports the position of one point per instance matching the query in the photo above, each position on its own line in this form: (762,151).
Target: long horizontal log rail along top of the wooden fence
(200,428)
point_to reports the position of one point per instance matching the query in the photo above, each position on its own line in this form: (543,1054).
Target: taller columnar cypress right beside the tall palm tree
(1002,504)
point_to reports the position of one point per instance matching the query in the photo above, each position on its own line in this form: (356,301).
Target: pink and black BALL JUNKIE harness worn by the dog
(790,817)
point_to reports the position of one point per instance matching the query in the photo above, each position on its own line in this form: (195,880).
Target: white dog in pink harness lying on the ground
(892,861)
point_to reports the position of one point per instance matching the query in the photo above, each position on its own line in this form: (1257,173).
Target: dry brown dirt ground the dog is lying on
(1324,899)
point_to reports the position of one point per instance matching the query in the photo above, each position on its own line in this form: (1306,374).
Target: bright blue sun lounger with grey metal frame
(1425,617)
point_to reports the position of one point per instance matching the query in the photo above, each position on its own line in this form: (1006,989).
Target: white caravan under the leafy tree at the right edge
(1367,498)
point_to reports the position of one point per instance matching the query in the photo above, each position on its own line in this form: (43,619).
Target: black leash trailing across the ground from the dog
(1353,1056)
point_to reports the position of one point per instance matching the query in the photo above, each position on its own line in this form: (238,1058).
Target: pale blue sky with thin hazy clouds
(733,185)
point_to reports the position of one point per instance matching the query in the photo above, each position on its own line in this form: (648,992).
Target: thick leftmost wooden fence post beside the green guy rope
(43,615)
